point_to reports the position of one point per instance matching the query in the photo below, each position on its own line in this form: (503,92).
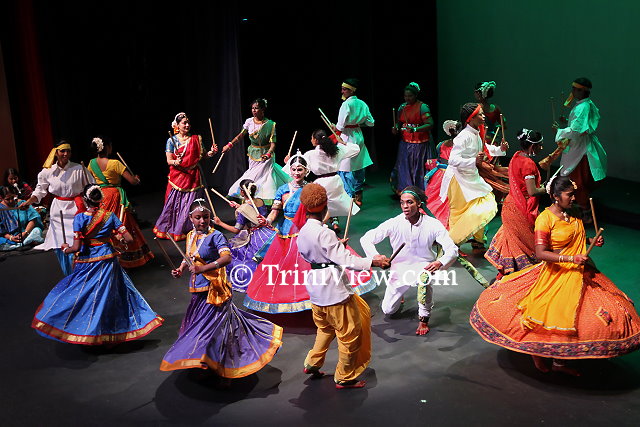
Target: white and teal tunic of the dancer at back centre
(353,114)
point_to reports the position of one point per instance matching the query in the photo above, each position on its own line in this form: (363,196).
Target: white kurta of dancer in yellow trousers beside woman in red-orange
(462,164)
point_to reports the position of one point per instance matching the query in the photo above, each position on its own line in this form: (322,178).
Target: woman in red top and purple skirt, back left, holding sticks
(183,152)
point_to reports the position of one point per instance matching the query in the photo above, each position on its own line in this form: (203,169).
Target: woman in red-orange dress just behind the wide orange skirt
(512,247)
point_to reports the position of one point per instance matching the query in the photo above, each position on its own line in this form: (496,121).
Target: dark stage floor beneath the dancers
(449,377)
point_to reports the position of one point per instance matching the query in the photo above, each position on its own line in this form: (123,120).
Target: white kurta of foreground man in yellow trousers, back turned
(327,286)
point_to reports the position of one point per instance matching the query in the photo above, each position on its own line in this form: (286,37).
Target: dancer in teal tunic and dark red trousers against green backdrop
(585,161)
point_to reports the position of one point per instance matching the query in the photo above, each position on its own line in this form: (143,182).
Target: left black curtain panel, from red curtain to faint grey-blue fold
(124,70)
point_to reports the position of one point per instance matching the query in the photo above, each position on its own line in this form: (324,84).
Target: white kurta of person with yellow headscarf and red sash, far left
(63,182)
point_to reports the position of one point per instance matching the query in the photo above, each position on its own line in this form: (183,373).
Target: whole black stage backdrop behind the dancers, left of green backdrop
(125,69)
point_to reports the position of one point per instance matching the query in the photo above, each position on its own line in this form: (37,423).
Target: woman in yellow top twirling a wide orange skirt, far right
(563,307)
